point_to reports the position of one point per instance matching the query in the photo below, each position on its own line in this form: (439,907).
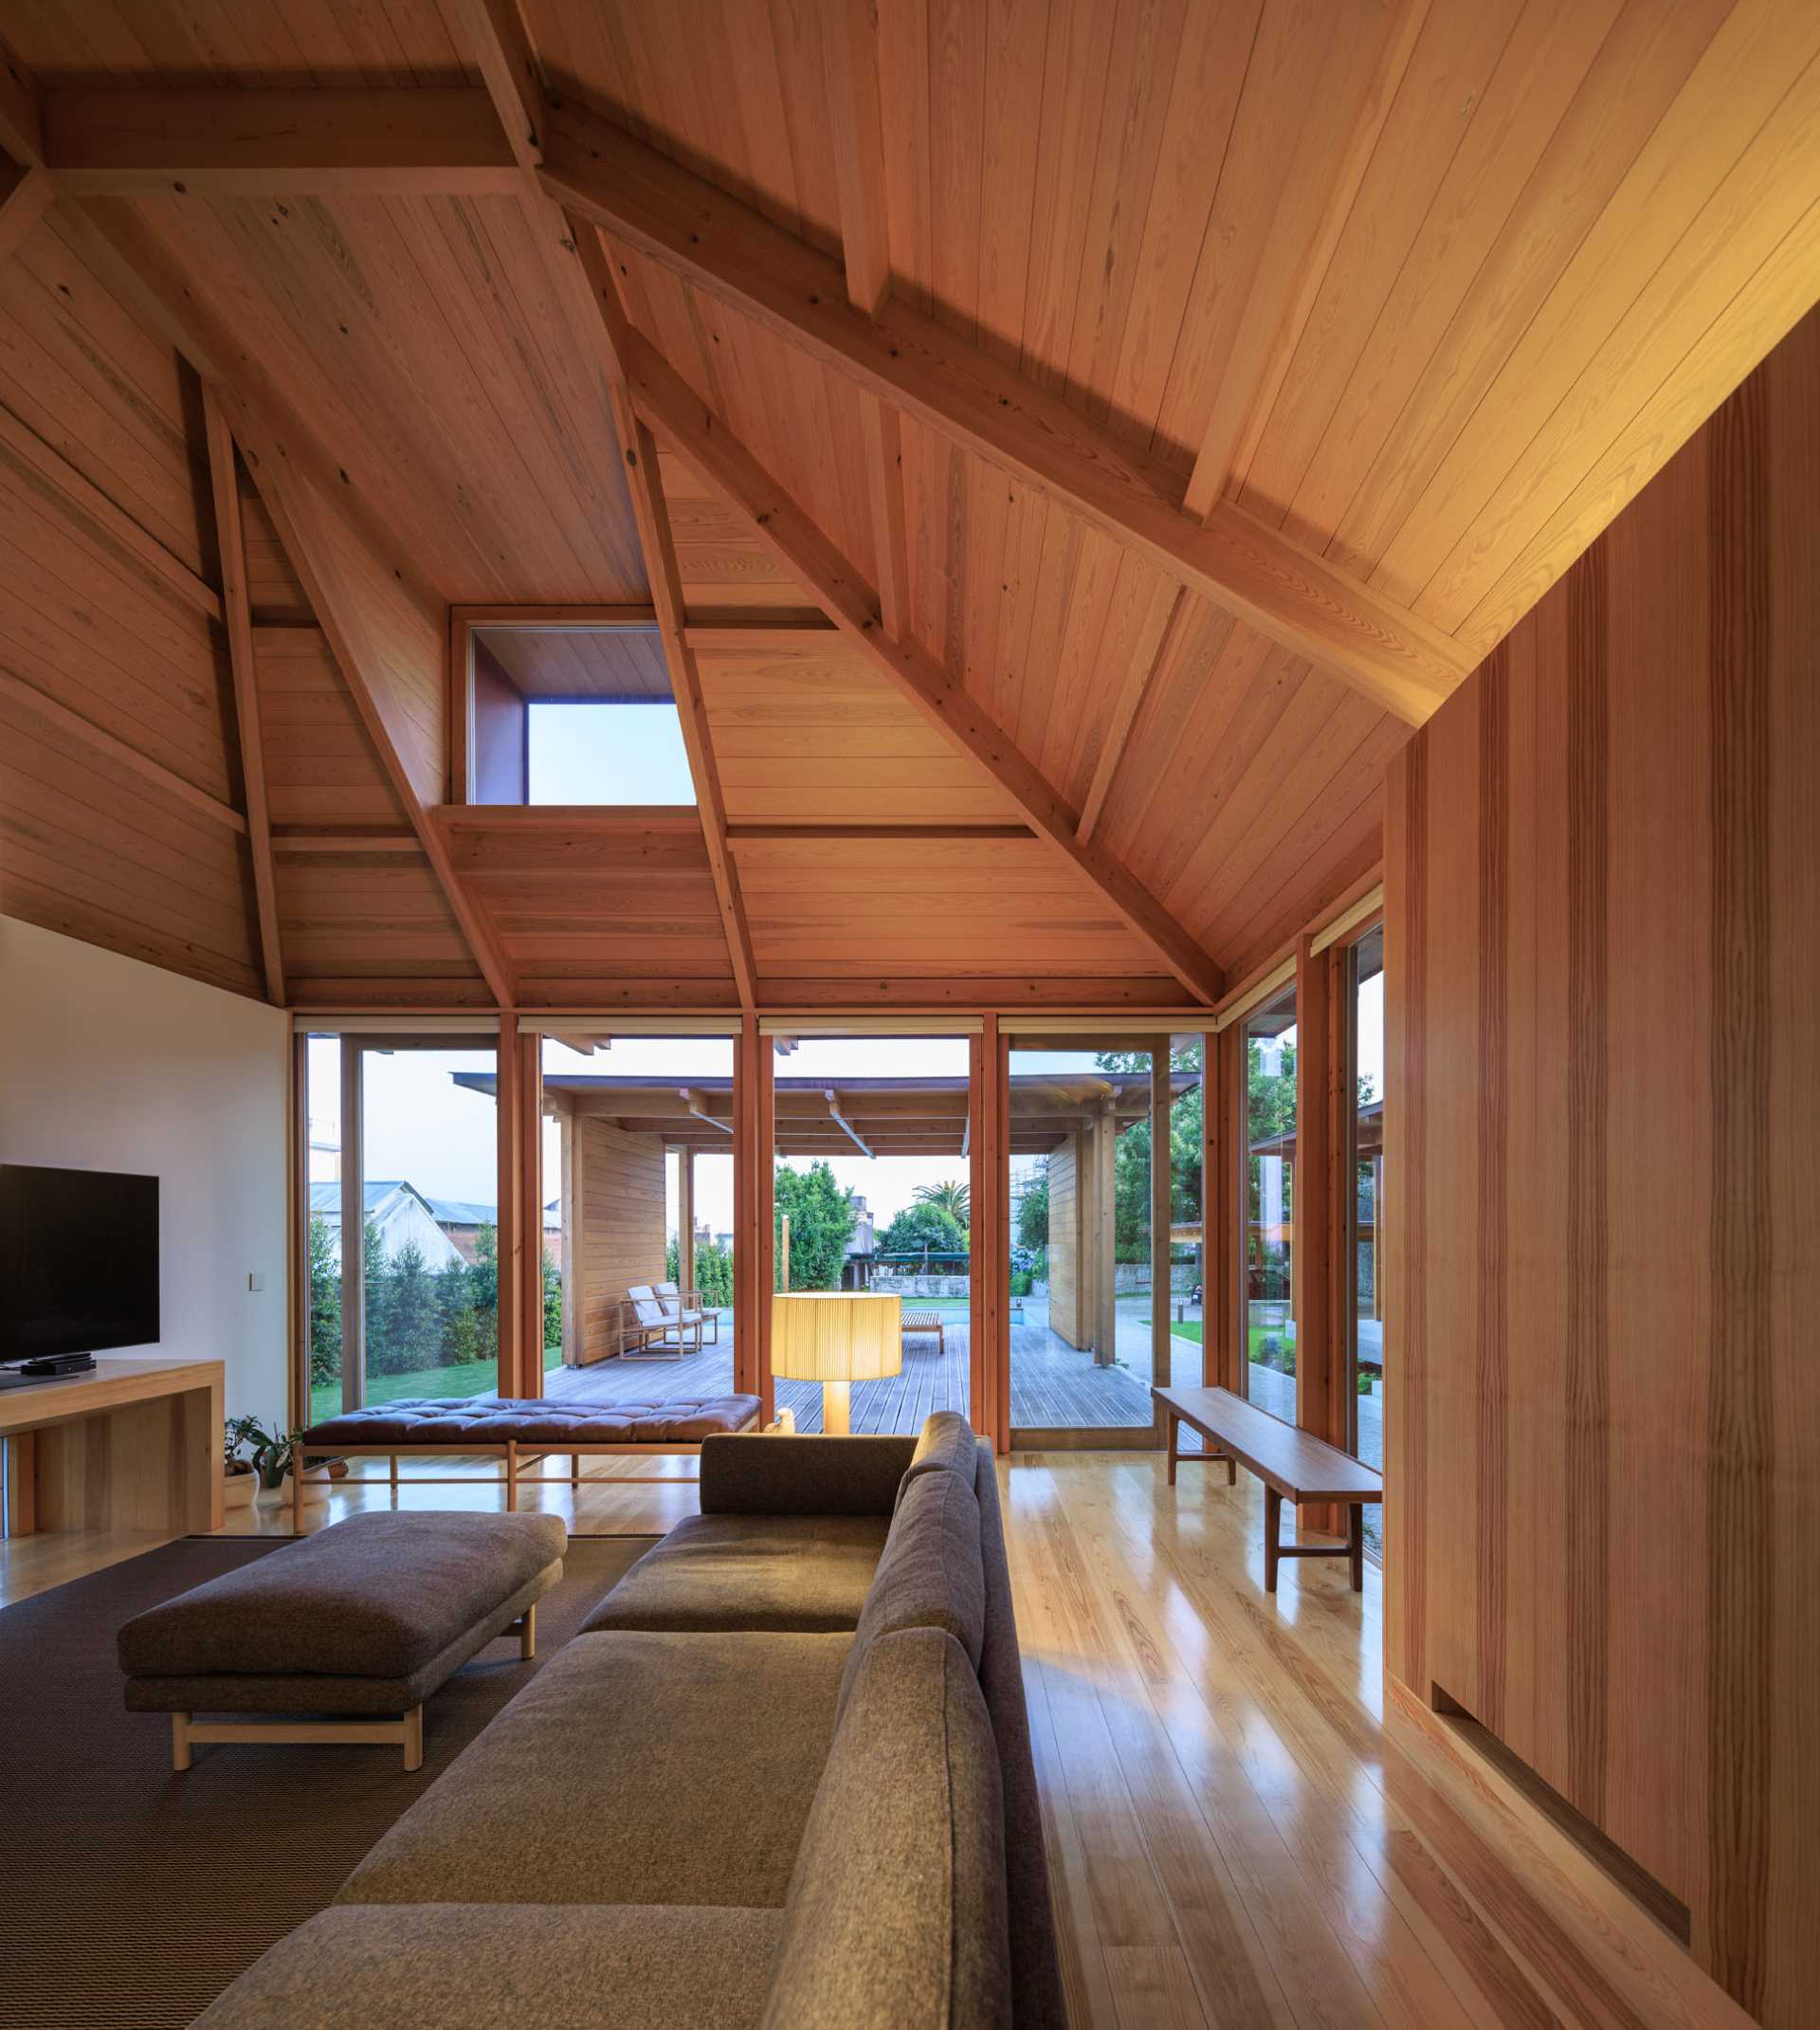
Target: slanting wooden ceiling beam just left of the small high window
(297,515)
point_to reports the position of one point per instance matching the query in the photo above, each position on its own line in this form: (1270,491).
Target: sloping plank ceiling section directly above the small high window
(429,346)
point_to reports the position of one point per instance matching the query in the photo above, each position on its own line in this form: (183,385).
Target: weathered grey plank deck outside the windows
(1052,1383)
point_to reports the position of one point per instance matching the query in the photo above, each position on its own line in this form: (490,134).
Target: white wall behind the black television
(113,1065)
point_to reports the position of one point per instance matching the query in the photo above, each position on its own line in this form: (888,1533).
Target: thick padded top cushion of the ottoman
(368,1599)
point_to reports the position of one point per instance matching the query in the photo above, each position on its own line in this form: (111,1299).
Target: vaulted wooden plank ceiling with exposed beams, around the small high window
(1082,439)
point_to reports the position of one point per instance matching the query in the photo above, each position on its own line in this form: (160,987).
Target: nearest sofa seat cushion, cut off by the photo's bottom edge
(553,1966)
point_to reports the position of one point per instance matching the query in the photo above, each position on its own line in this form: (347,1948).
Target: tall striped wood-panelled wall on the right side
(1602,882)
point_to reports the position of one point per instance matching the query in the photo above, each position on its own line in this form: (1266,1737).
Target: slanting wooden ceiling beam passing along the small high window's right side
(646,488)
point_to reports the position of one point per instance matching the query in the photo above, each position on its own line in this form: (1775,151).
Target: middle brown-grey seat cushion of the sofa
(636,1769)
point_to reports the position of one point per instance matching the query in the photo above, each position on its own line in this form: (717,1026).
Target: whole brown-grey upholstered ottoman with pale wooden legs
(362,1623)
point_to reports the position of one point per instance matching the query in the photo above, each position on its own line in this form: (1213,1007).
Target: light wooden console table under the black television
(137,1444)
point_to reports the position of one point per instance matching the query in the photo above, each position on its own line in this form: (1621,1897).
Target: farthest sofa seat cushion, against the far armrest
(736,1572)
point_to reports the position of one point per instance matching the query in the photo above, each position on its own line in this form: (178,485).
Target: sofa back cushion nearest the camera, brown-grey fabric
(896,1913)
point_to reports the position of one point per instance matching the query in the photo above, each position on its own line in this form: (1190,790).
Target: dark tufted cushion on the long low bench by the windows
(533,1422)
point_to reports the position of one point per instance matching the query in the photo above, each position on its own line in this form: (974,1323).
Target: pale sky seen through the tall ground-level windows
(421,1126)
